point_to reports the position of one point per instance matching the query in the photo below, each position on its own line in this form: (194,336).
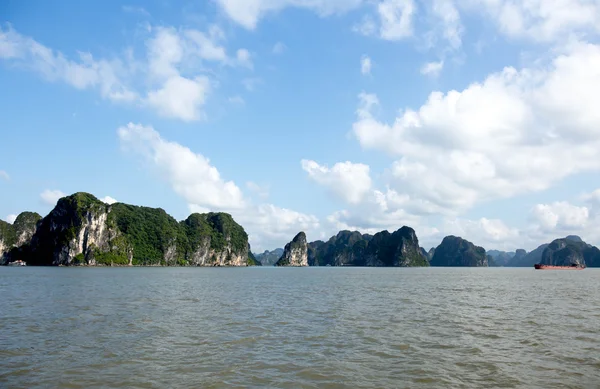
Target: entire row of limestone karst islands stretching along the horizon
(81,230)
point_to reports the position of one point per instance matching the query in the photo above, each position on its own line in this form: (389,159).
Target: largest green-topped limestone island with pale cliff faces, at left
(81,230)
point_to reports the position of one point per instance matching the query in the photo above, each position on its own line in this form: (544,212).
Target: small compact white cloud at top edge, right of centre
(396,18)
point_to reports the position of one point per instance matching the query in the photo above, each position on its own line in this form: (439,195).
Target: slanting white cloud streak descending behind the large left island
(199,183)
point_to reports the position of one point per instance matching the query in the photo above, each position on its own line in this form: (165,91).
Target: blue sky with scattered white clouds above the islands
(476,118)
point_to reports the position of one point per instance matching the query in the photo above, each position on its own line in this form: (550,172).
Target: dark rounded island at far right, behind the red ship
(568,251)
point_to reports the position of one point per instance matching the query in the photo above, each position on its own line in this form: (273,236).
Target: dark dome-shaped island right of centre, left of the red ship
(455,251)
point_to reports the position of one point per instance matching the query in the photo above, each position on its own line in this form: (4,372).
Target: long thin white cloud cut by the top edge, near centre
(247,13)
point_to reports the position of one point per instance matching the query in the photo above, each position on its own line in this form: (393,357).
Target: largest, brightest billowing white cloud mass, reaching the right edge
(453,150)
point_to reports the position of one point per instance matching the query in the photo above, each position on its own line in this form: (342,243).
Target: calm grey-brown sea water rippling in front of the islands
(299,328)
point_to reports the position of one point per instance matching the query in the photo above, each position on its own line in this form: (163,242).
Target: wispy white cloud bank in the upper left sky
(173,79)
